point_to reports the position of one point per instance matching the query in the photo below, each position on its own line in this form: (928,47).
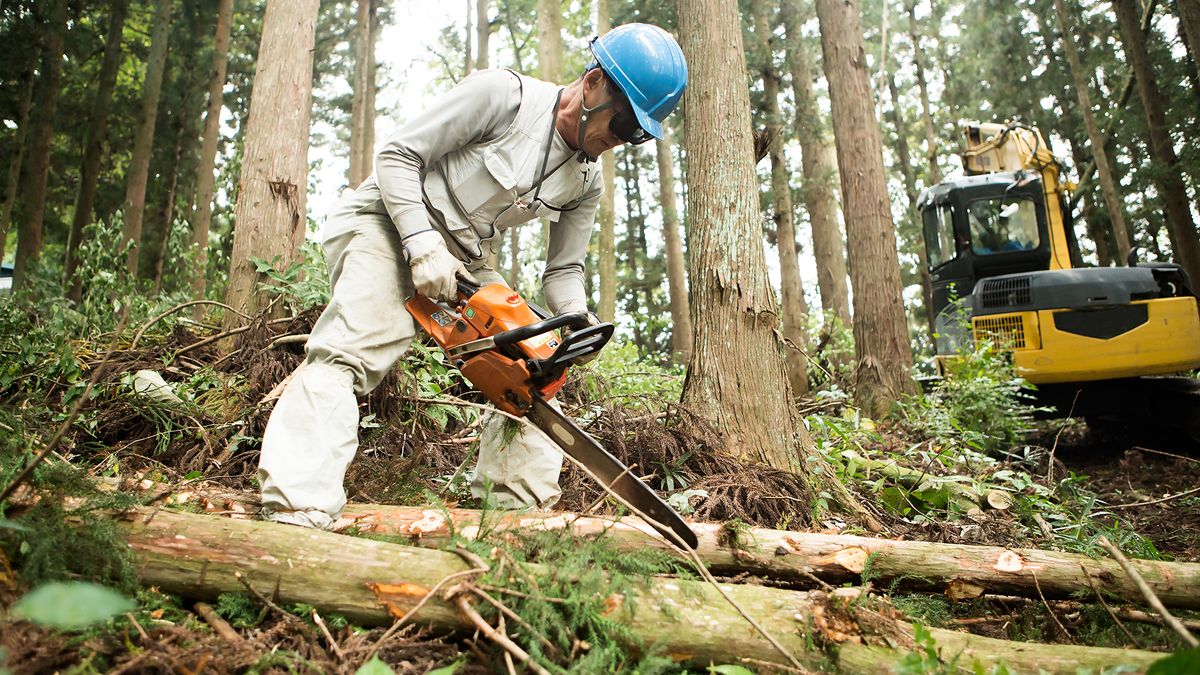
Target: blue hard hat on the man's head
(649,67)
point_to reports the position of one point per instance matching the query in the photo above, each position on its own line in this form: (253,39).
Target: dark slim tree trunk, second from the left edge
(94,151)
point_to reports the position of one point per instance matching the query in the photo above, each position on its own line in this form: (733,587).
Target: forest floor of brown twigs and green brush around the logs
(1069,486)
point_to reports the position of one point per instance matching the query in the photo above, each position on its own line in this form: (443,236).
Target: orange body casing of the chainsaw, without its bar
(490,312)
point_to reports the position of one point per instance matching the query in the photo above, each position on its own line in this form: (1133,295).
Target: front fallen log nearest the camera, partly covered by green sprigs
(374,582)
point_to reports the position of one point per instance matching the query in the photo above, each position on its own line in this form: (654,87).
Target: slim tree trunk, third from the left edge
(140,164)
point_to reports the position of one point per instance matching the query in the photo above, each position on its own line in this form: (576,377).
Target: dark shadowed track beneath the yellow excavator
(1154,404)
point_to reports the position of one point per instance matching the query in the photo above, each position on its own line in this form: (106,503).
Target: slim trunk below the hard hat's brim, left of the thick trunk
(677,280)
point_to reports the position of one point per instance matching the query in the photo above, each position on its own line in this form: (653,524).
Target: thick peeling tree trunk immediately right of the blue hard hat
(737,377)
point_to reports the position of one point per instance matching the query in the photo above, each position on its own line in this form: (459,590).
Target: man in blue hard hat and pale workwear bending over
(500,150)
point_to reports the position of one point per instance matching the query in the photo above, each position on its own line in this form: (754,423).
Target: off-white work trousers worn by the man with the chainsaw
(314,431)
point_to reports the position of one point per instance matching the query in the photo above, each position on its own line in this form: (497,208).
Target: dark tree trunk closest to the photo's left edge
(29,231)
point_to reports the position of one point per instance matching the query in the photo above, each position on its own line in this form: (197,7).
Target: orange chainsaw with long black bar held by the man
(511,350)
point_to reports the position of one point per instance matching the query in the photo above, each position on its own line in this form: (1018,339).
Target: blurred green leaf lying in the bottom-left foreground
(71,606)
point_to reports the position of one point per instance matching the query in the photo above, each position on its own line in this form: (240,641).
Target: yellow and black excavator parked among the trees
(1005,266)
